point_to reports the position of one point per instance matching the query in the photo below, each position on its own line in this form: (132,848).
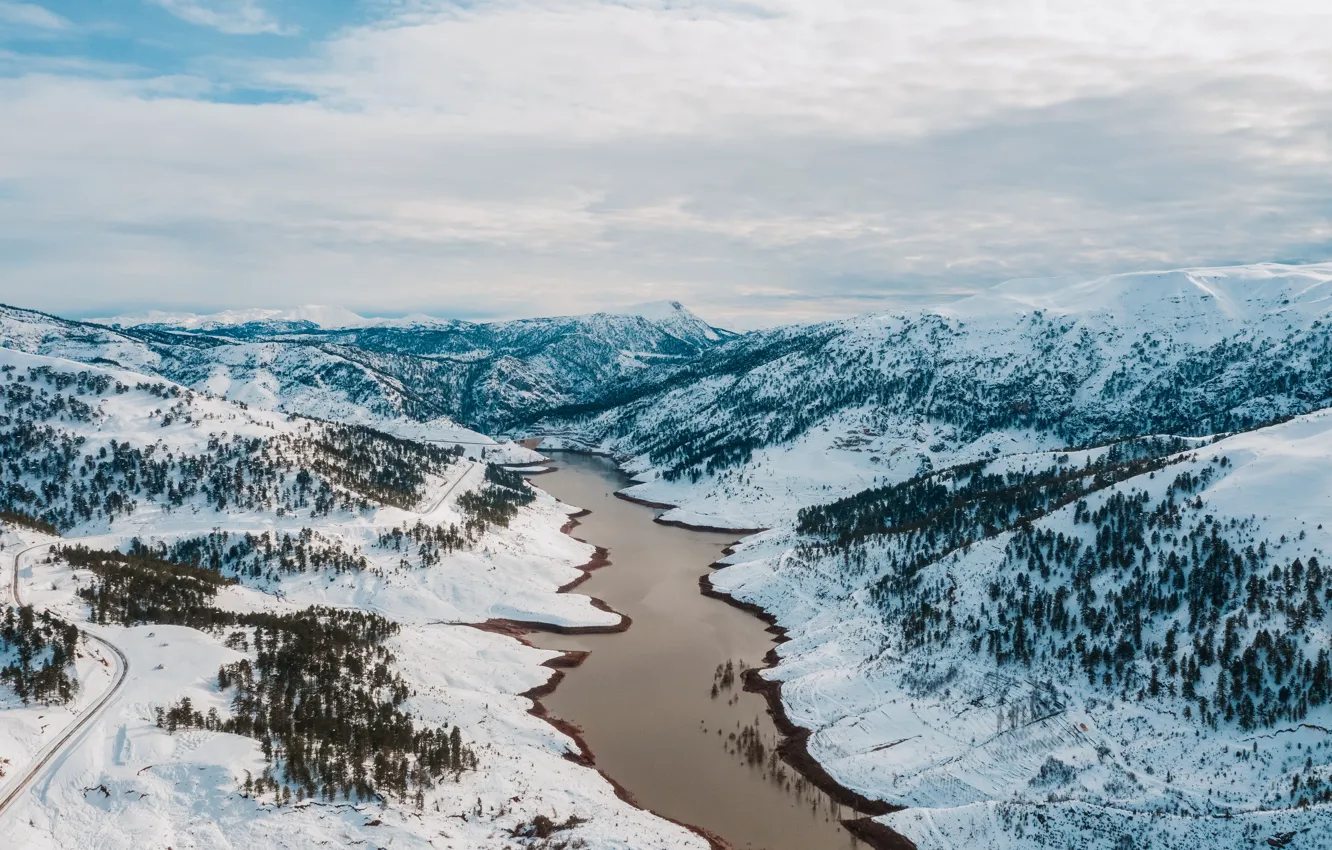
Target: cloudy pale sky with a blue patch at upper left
(760,161)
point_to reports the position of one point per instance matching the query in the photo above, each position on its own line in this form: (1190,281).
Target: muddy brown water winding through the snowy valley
(645,697)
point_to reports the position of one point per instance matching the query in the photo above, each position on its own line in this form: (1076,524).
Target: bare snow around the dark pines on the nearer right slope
(1142,769)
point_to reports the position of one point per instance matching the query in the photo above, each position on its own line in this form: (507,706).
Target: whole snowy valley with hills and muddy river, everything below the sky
(1049,568)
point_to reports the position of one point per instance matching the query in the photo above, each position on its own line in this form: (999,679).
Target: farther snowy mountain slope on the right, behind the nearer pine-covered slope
(763,426)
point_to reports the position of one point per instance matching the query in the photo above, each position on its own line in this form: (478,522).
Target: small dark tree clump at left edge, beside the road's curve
(38,651)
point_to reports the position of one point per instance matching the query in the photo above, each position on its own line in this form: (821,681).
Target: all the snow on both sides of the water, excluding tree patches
(1138,771)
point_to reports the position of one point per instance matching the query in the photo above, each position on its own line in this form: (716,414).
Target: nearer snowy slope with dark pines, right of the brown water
(1132,659)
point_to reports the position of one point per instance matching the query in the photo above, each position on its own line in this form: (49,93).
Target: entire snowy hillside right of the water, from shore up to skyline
(1050,562)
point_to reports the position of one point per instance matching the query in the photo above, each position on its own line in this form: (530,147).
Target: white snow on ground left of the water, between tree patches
(127,784)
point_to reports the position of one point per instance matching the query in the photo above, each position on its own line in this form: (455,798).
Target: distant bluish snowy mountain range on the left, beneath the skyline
(412,378)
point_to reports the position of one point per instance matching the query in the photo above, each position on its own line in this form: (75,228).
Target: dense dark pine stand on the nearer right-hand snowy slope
(1237,616)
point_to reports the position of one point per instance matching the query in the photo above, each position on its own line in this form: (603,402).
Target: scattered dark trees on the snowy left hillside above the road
(61,479)
